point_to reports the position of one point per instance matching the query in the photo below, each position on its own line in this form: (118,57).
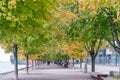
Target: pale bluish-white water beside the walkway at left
(7,67)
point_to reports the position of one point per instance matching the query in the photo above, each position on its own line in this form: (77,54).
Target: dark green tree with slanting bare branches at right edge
(109,25)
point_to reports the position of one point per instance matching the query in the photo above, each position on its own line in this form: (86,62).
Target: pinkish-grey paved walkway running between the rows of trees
(51,72)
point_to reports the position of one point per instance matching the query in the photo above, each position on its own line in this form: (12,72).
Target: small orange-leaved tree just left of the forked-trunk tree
(75,51)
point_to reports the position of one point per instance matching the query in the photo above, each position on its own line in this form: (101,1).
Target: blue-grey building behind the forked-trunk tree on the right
(107,56)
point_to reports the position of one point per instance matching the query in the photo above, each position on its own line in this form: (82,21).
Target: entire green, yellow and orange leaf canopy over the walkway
(60,27)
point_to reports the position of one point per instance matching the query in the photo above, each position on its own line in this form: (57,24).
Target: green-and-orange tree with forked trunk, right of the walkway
(82,28)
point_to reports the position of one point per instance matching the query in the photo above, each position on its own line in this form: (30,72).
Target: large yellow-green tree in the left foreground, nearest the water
(17,16)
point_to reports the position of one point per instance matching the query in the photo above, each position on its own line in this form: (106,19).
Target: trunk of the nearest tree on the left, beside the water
(15,61)
